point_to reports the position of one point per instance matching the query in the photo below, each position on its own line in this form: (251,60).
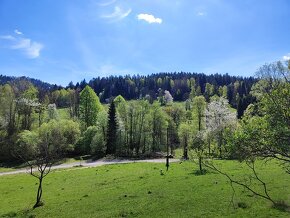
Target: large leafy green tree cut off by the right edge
(267,135)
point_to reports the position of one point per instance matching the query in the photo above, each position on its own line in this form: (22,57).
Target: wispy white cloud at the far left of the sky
(29,47)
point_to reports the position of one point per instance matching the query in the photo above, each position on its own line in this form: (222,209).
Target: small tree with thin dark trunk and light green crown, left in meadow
(40,150)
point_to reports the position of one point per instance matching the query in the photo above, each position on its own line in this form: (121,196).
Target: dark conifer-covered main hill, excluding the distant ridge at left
(178,84)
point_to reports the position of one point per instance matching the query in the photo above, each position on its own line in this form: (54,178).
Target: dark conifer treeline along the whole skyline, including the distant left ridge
(180,85)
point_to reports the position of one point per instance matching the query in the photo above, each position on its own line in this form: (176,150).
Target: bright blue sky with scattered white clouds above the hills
(59,41)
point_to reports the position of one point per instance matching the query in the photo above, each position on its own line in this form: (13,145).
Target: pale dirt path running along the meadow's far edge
(93,164)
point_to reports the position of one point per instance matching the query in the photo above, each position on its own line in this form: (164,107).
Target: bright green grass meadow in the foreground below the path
(139,190)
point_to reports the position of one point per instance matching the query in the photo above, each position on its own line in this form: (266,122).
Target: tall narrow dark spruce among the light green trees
(112,130)
